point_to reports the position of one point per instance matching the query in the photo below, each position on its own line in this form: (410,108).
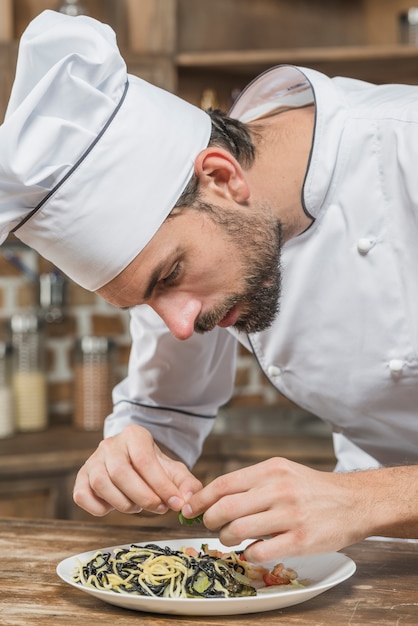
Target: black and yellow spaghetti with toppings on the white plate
(152,570)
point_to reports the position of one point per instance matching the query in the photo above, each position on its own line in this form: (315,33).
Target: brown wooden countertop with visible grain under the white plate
(382,592)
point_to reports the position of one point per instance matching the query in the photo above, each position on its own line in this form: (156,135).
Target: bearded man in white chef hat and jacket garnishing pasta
(290,226)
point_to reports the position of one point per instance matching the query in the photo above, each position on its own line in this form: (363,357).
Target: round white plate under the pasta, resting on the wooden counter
(324,571)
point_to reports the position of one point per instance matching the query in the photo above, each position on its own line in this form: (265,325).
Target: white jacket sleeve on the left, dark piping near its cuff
(173,388)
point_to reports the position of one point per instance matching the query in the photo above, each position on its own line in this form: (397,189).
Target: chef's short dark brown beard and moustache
(256,243)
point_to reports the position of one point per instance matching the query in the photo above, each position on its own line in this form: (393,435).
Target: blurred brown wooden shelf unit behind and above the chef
(215,47)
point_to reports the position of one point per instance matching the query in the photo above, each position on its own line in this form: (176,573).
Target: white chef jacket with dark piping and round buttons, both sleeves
(344,343)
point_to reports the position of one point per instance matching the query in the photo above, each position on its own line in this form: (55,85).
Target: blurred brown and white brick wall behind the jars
(87,314)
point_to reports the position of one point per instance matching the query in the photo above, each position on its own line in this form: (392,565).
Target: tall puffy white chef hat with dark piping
(92,159)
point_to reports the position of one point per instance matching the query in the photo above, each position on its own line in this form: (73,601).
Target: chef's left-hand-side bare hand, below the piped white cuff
(130,472)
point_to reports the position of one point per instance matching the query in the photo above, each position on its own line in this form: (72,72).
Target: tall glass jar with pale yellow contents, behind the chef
(29,377)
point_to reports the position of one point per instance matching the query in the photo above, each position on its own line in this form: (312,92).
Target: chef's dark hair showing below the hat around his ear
(227,133)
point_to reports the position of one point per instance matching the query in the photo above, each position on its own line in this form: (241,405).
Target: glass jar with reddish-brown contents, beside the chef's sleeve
(93,381)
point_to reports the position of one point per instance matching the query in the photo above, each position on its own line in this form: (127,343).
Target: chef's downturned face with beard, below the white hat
(206,267)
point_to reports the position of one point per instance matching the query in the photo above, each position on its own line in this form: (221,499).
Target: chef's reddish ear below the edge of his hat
(220,173)
